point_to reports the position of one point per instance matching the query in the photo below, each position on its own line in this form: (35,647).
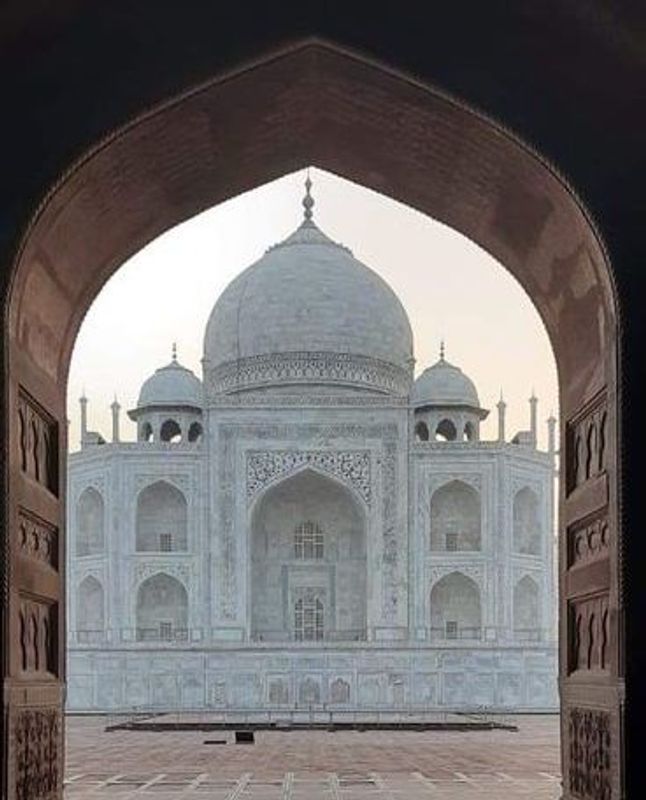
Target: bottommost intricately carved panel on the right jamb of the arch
(590,749)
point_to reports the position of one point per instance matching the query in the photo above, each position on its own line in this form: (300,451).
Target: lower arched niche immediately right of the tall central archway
(455,608)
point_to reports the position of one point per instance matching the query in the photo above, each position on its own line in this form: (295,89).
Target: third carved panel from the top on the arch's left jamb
(37,620)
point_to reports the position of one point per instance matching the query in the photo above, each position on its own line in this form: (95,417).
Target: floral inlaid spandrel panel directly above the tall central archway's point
(351,466)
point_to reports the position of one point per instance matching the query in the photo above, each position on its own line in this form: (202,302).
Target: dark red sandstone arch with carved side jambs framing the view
(315,104)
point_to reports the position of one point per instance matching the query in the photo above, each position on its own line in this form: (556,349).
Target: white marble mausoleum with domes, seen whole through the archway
(308,525)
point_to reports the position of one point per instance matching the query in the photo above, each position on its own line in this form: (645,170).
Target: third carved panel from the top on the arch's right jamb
(588,633)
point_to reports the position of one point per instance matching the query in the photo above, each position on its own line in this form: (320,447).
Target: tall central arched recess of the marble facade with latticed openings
(308,556)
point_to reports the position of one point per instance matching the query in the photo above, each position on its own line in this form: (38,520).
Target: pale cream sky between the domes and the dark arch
(450,287)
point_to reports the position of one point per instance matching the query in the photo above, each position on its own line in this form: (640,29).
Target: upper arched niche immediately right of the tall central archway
(456,517)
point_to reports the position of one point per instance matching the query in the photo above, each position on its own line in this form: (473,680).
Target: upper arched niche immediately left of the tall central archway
(162,519)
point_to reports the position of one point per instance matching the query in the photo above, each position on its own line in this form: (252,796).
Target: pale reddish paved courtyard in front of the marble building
(312,765)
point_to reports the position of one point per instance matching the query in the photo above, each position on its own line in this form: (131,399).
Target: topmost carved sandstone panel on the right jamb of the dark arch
(586,437)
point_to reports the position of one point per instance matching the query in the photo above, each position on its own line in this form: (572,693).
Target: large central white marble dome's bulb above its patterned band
(309,295)
